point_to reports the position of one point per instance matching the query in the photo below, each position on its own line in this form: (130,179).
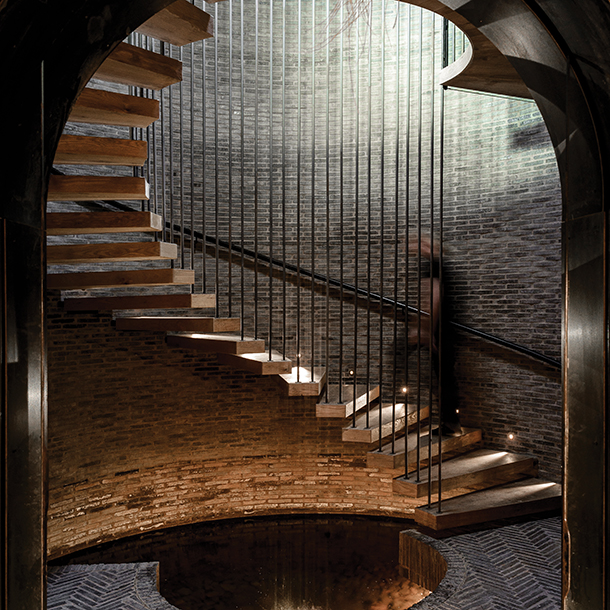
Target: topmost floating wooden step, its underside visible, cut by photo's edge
(180,23)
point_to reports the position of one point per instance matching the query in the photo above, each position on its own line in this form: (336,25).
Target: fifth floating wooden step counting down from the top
(92,188)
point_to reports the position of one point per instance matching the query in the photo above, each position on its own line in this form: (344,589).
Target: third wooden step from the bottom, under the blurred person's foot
(392,460)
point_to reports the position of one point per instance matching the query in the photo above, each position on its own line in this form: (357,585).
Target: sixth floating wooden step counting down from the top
(81,223)
